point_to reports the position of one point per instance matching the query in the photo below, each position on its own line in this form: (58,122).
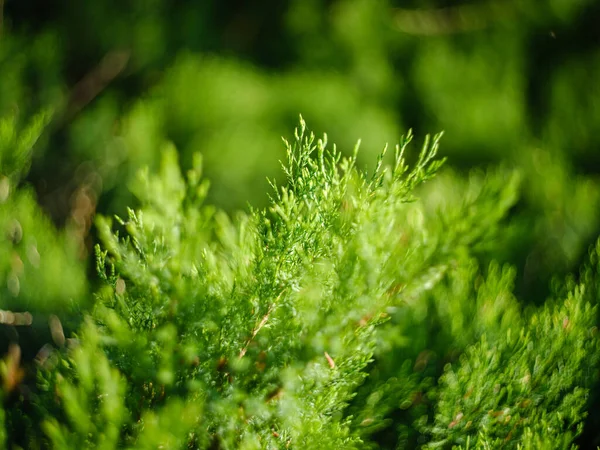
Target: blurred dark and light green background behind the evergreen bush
(513,83)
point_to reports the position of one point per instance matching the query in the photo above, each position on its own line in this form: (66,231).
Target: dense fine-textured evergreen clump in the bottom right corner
(528,387)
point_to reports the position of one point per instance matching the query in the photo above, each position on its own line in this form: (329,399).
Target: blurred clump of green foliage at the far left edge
(40,269)
